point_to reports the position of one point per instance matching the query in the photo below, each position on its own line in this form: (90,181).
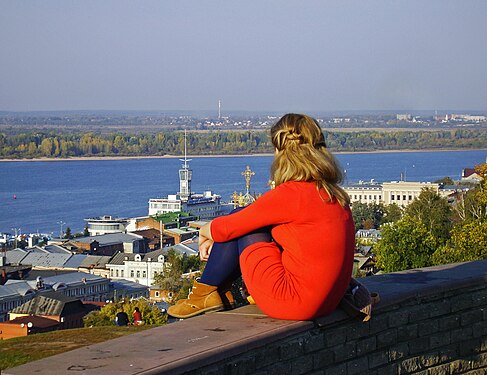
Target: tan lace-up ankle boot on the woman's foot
(202,298)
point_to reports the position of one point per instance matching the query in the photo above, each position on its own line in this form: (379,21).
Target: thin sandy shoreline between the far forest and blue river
(98,158)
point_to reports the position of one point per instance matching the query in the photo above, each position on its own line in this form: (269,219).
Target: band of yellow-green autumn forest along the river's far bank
(59,143)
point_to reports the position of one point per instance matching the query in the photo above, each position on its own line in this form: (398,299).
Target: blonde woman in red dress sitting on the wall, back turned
(293,246)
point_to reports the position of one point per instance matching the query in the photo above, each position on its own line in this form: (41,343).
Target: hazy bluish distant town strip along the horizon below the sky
(232,121)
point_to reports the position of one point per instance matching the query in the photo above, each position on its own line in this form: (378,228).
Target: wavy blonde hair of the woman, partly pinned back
(302,156)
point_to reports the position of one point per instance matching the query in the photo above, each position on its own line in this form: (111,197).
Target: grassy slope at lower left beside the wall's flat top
(20,350)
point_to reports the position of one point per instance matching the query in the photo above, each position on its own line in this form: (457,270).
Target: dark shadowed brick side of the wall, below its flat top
(443,333)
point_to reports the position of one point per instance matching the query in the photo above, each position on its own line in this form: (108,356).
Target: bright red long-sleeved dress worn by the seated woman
(305,272)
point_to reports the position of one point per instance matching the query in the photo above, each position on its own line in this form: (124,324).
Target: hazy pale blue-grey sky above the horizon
(253,55)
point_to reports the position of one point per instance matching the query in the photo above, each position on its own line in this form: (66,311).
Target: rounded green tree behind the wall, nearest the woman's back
(404,245)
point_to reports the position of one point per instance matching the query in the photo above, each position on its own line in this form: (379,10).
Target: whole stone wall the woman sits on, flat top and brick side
(428,321)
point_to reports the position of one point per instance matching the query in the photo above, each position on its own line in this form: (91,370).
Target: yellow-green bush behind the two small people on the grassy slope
(151,314)
